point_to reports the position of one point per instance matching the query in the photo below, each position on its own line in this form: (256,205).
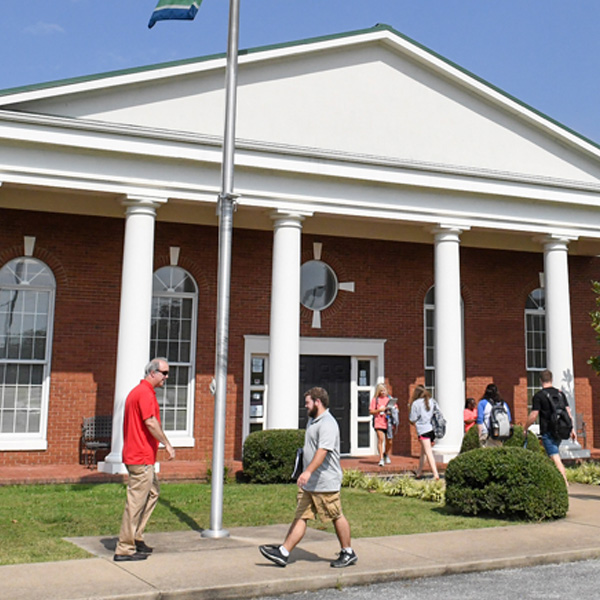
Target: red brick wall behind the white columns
(391,280)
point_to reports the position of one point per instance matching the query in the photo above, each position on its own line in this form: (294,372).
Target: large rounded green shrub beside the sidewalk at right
(506,482)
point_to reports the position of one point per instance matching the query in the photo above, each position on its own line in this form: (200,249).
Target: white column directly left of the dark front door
(284,348)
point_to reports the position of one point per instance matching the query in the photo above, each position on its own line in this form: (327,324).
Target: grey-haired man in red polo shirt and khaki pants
(142,433)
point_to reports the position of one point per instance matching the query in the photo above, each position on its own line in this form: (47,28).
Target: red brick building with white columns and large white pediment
(435,229)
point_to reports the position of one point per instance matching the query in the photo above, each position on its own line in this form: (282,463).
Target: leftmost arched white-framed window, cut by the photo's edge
(27,289)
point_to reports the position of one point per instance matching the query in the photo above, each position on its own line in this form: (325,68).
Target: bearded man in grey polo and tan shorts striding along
(319,484)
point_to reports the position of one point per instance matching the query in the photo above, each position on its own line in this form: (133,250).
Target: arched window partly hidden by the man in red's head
(173,336)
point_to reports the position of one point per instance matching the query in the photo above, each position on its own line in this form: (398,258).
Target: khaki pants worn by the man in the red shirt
(142,496)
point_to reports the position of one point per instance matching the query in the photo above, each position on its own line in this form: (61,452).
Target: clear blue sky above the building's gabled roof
(544,52)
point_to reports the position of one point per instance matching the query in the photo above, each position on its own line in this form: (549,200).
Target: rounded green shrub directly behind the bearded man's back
(269,455)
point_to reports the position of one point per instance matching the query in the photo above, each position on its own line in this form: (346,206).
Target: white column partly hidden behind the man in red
(134,317)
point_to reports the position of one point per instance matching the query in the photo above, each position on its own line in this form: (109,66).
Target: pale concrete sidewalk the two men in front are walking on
(186,566)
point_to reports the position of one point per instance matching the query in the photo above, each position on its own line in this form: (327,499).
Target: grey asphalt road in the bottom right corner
(575,581)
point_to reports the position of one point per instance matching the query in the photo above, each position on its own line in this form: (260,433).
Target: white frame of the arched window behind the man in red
(185,439)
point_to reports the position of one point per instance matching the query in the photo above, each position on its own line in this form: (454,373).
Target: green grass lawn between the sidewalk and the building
(35,518)
